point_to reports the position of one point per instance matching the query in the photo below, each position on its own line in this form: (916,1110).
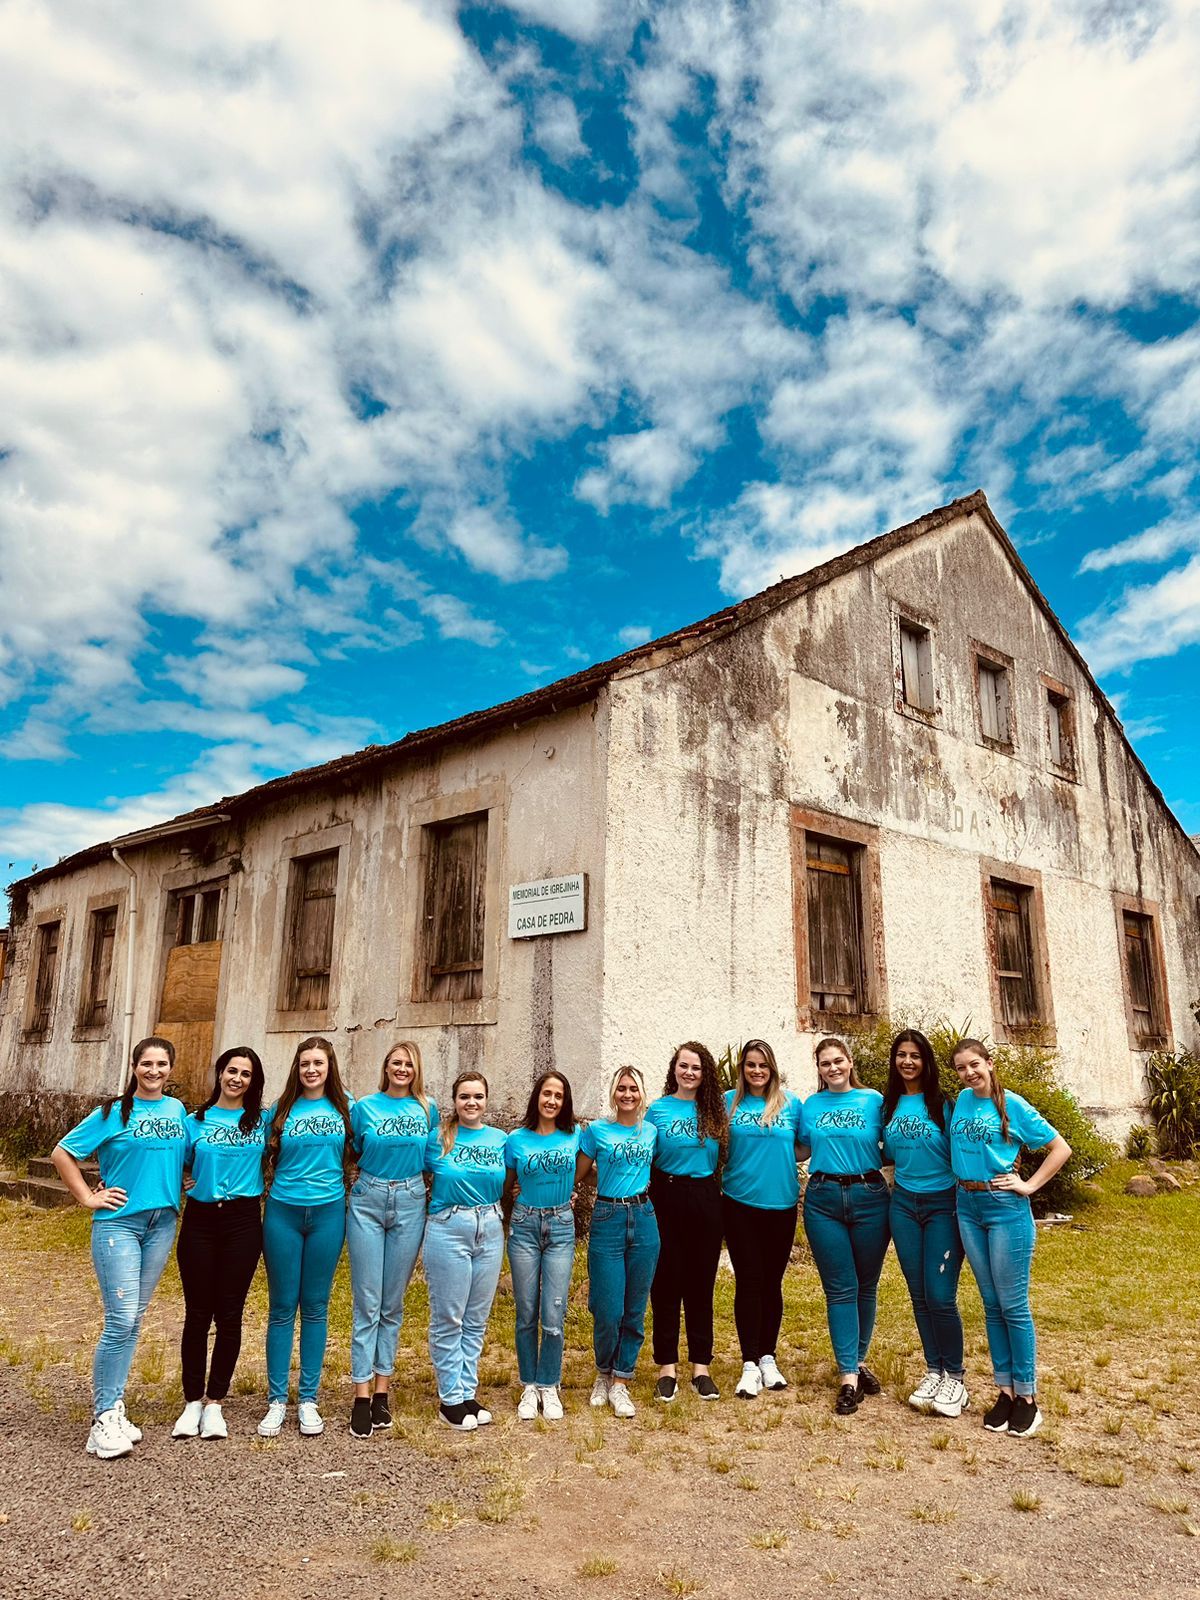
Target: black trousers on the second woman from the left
(220,1247)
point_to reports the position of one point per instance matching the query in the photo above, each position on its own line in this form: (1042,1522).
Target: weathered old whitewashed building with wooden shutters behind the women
(886,785)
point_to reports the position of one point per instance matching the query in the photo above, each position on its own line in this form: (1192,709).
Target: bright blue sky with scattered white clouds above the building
(367,364)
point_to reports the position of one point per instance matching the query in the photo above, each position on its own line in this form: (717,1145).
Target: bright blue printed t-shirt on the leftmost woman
(145,1158)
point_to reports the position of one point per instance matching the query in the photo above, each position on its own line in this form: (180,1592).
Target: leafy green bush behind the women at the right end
(1026,1070)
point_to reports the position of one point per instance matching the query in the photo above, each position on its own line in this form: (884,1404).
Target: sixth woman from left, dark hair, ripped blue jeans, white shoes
(540,1158)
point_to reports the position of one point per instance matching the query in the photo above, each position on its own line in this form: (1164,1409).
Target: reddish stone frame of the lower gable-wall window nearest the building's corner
(870,908)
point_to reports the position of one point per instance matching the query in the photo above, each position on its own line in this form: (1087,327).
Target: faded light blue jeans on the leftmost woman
(129,1255)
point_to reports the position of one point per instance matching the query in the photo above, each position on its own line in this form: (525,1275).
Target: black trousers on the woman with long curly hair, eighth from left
(690,1228)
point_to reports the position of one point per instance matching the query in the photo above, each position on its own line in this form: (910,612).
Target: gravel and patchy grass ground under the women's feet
(774,1497)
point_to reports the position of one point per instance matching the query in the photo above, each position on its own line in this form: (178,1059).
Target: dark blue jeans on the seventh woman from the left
(622,1257)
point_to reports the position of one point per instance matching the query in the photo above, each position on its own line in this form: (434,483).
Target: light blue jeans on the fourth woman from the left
(385,1225)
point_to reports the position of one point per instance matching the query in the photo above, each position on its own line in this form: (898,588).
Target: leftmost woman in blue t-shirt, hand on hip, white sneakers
(140,1140)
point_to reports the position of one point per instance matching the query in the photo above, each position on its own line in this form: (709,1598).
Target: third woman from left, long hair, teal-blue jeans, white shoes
(306,1167)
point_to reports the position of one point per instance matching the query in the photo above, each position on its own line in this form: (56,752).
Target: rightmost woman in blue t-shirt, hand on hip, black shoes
(988,1132)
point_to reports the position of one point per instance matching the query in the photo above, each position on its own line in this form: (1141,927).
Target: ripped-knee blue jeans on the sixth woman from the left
(542,1257)
